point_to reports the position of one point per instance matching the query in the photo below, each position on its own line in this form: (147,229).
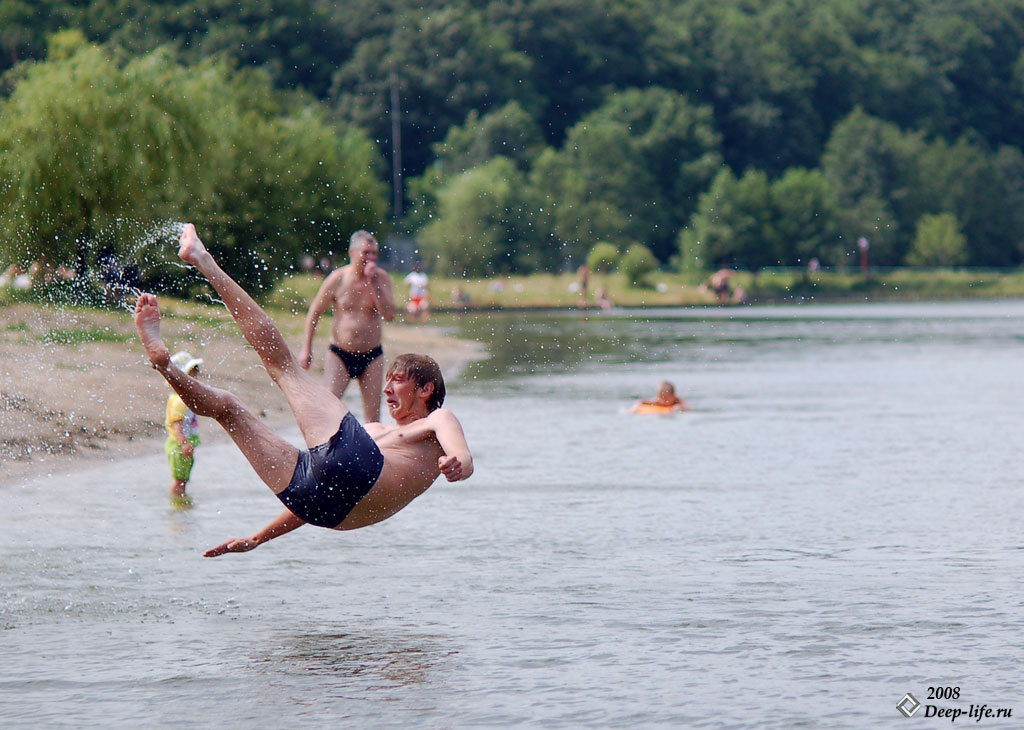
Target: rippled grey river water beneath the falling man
(836,524)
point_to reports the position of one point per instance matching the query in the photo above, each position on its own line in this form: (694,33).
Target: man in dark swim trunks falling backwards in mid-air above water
(349,477)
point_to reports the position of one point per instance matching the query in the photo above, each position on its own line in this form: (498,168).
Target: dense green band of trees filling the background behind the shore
(515,136)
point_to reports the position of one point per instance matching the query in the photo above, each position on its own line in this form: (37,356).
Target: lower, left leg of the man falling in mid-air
(272,457)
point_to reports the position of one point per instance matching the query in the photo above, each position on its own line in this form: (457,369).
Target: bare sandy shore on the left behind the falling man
(76,390)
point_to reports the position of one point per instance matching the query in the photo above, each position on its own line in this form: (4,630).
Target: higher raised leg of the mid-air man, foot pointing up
(317,413)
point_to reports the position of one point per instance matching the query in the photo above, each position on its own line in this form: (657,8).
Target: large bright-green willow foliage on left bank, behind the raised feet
(89,143)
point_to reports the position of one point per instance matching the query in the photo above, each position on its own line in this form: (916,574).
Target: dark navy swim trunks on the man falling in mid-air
(330,480)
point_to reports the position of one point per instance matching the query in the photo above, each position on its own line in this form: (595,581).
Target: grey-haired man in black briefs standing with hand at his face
(361,296)
